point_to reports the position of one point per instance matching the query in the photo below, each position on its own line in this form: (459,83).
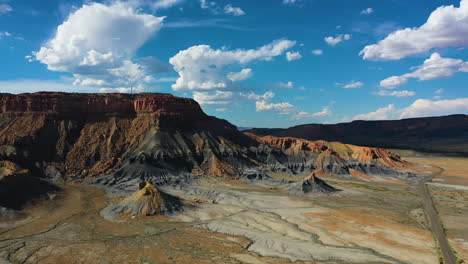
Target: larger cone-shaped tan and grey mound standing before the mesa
(147,201)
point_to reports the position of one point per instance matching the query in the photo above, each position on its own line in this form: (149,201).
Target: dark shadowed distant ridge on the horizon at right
(445,134)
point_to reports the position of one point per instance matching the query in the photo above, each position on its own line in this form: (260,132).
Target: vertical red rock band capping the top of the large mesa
(83,104)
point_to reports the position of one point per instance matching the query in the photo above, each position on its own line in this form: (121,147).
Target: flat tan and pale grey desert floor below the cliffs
(232,222)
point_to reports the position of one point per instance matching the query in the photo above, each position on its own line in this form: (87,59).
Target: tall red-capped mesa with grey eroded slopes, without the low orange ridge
(88,135)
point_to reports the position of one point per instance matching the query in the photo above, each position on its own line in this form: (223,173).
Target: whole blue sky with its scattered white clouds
(266,63)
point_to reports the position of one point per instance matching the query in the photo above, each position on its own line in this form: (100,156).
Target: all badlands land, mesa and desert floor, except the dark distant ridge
(150,178)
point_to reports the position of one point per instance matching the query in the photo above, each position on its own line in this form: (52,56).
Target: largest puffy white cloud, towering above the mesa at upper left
(96,44)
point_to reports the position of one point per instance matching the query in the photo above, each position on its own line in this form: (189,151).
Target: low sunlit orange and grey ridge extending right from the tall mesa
(299,156)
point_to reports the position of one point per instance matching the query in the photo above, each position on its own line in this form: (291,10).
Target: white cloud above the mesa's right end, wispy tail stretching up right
(203,68)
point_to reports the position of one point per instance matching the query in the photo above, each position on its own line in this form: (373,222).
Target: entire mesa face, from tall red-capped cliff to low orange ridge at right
(119,140)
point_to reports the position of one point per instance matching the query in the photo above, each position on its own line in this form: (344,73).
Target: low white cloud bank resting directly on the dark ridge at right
(419,108)
